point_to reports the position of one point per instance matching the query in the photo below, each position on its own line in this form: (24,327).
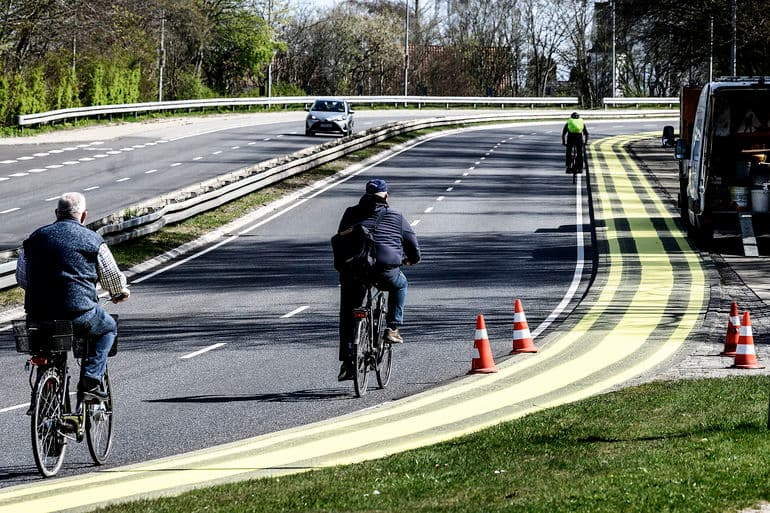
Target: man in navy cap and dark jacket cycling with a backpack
(395,245)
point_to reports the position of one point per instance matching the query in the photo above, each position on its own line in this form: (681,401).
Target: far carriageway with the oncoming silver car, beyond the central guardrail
(123,167)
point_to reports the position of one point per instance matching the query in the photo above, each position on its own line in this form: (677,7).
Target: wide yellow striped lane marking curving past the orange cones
(619,319)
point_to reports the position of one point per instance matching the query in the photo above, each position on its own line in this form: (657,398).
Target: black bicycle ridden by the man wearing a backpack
(372,351)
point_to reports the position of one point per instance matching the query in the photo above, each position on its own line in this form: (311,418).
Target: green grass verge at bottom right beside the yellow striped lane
(688,446)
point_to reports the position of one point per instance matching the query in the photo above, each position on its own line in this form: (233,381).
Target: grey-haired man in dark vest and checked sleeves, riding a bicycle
(59,267)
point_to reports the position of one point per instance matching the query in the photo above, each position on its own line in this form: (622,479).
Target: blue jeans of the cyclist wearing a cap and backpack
(353,295)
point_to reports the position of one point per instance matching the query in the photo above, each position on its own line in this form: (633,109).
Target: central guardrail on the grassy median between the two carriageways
(190,201)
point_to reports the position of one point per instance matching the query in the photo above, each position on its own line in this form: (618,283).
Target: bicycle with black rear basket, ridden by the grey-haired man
(53,421)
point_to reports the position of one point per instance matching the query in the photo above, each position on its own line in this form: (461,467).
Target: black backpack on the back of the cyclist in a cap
(354,250)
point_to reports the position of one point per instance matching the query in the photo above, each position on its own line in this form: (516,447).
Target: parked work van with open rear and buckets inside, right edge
(725,164)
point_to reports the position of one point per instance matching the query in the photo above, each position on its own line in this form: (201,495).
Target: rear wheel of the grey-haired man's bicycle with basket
(48,443)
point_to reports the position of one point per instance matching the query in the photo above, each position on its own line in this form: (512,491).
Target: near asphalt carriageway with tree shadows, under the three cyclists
(496,219)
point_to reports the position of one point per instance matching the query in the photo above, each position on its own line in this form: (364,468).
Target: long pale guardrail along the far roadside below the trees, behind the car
(192,105)
